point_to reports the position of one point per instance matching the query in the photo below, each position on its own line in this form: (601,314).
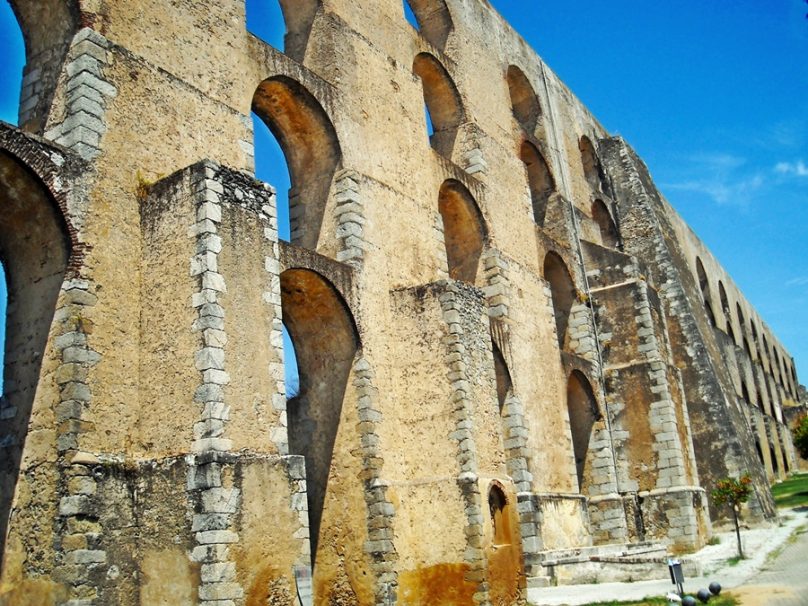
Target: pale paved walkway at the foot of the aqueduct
(788,572)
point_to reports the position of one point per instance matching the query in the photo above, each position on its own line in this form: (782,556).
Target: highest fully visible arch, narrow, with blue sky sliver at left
(442,100)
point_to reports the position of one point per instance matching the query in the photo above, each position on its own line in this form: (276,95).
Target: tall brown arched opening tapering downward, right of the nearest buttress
(325,342)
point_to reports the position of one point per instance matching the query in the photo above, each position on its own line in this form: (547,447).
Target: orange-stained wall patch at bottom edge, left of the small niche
(443,584)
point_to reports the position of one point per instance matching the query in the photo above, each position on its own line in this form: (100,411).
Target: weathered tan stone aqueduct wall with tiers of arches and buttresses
(513,353)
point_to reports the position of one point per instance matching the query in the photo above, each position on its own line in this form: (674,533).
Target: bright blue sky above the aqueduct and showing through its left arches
(713,96)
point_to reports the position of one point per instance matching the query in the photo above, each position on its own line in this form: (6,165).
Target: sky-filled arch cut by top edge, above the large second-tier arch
(284,24)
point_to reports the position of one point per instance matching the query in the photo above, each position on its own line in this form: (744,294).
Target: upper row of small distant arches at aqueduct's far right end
(756,344)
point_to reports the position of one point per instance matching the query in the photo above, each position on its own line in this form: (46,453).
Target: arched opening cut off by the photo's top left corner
(47,28)
